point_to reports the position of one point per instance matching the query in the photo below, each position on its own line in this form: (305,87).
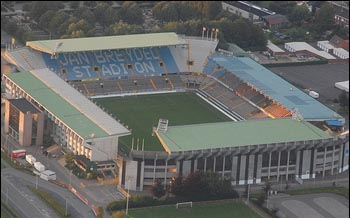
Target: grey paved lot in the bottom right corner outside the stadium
(325,205)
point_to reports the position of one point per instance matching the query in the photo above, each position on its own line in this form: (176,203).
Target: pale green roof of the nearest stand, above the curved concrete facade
(233,134)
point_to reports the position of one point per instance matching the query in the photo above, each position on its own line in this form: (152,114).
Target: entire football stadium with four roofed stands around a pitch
(160,105)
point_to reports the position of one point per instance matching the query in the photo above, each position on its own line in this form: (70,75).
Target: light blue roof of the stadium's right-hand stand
(276,88)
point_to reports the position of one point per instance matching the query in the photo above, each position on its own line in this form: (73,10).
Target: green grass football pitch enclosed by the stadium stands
(141,113)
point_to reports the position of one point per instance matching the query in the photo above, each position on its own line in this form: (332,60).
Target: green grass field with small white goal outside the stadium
(222,209)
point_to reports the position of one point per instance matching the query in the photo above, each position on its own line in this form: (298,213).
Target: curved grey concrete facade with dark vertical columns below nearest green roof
(287,162)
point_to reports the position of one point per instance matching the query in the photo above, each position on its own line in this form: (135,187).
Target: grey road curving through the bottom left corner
(29,204)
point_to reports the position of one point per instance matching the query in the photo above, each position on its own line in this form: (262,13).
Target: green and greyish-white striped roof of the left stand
(64,107)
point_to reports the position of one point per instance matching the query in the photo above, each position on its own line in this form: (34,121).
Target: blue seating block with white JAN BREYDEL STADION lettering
(112,63)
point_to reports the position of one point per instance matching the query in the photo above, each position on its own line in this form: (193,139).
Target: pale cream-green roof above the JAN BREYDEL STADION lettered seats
(106,42)
